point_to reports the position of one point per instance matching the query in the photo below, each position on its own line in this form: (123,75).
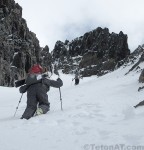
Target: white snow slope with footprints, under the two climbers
(97,112)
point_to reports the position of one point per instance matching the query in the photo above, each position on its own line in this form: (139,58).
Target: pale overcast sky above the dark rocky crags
(53,20)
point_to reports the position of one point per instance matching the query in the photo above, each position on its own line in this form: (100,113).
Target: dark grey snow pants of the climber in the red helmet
(36,96)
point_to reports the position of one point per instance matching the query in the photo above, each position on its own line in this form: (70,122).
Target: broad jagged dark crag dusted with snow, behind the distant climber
(95,53)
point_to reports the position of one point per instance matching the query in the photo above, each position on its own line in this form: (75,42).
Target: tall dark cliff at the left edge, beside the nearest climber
(19,47)
